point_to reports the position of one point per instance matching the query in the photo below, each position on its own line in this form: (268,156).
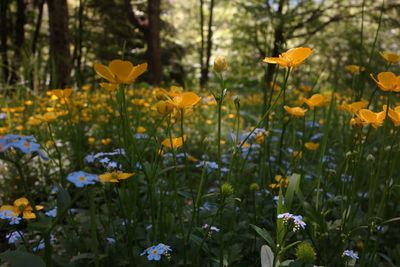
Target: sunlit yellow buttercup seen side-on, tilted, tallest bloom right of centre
(292,58)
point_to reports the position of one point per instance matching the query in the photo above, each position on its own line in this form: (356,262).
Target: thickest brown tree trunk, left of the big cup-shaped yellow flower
(59,42)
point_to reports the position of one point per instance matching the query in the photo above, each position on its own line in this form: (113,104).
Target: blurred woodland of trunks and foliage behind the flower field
(54,43)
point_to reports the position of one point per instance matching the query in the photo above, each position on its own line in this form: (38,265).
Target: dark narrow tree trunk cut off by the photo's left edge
(3,37)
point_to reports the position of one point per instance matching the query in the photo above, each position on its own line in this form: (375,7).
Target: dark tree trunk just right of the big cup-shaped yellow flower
(153,41)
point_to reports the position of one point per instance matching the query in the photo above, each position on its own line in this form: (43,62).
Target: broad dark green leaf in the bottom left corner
(21,259)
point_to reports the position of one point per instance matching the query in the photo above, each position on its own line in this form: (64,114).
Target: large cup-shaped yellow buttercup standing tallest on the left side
(120,71)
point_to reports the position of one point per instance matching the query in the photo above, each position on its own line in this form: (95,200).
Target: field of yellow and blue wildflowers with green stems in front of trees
(121,174)
